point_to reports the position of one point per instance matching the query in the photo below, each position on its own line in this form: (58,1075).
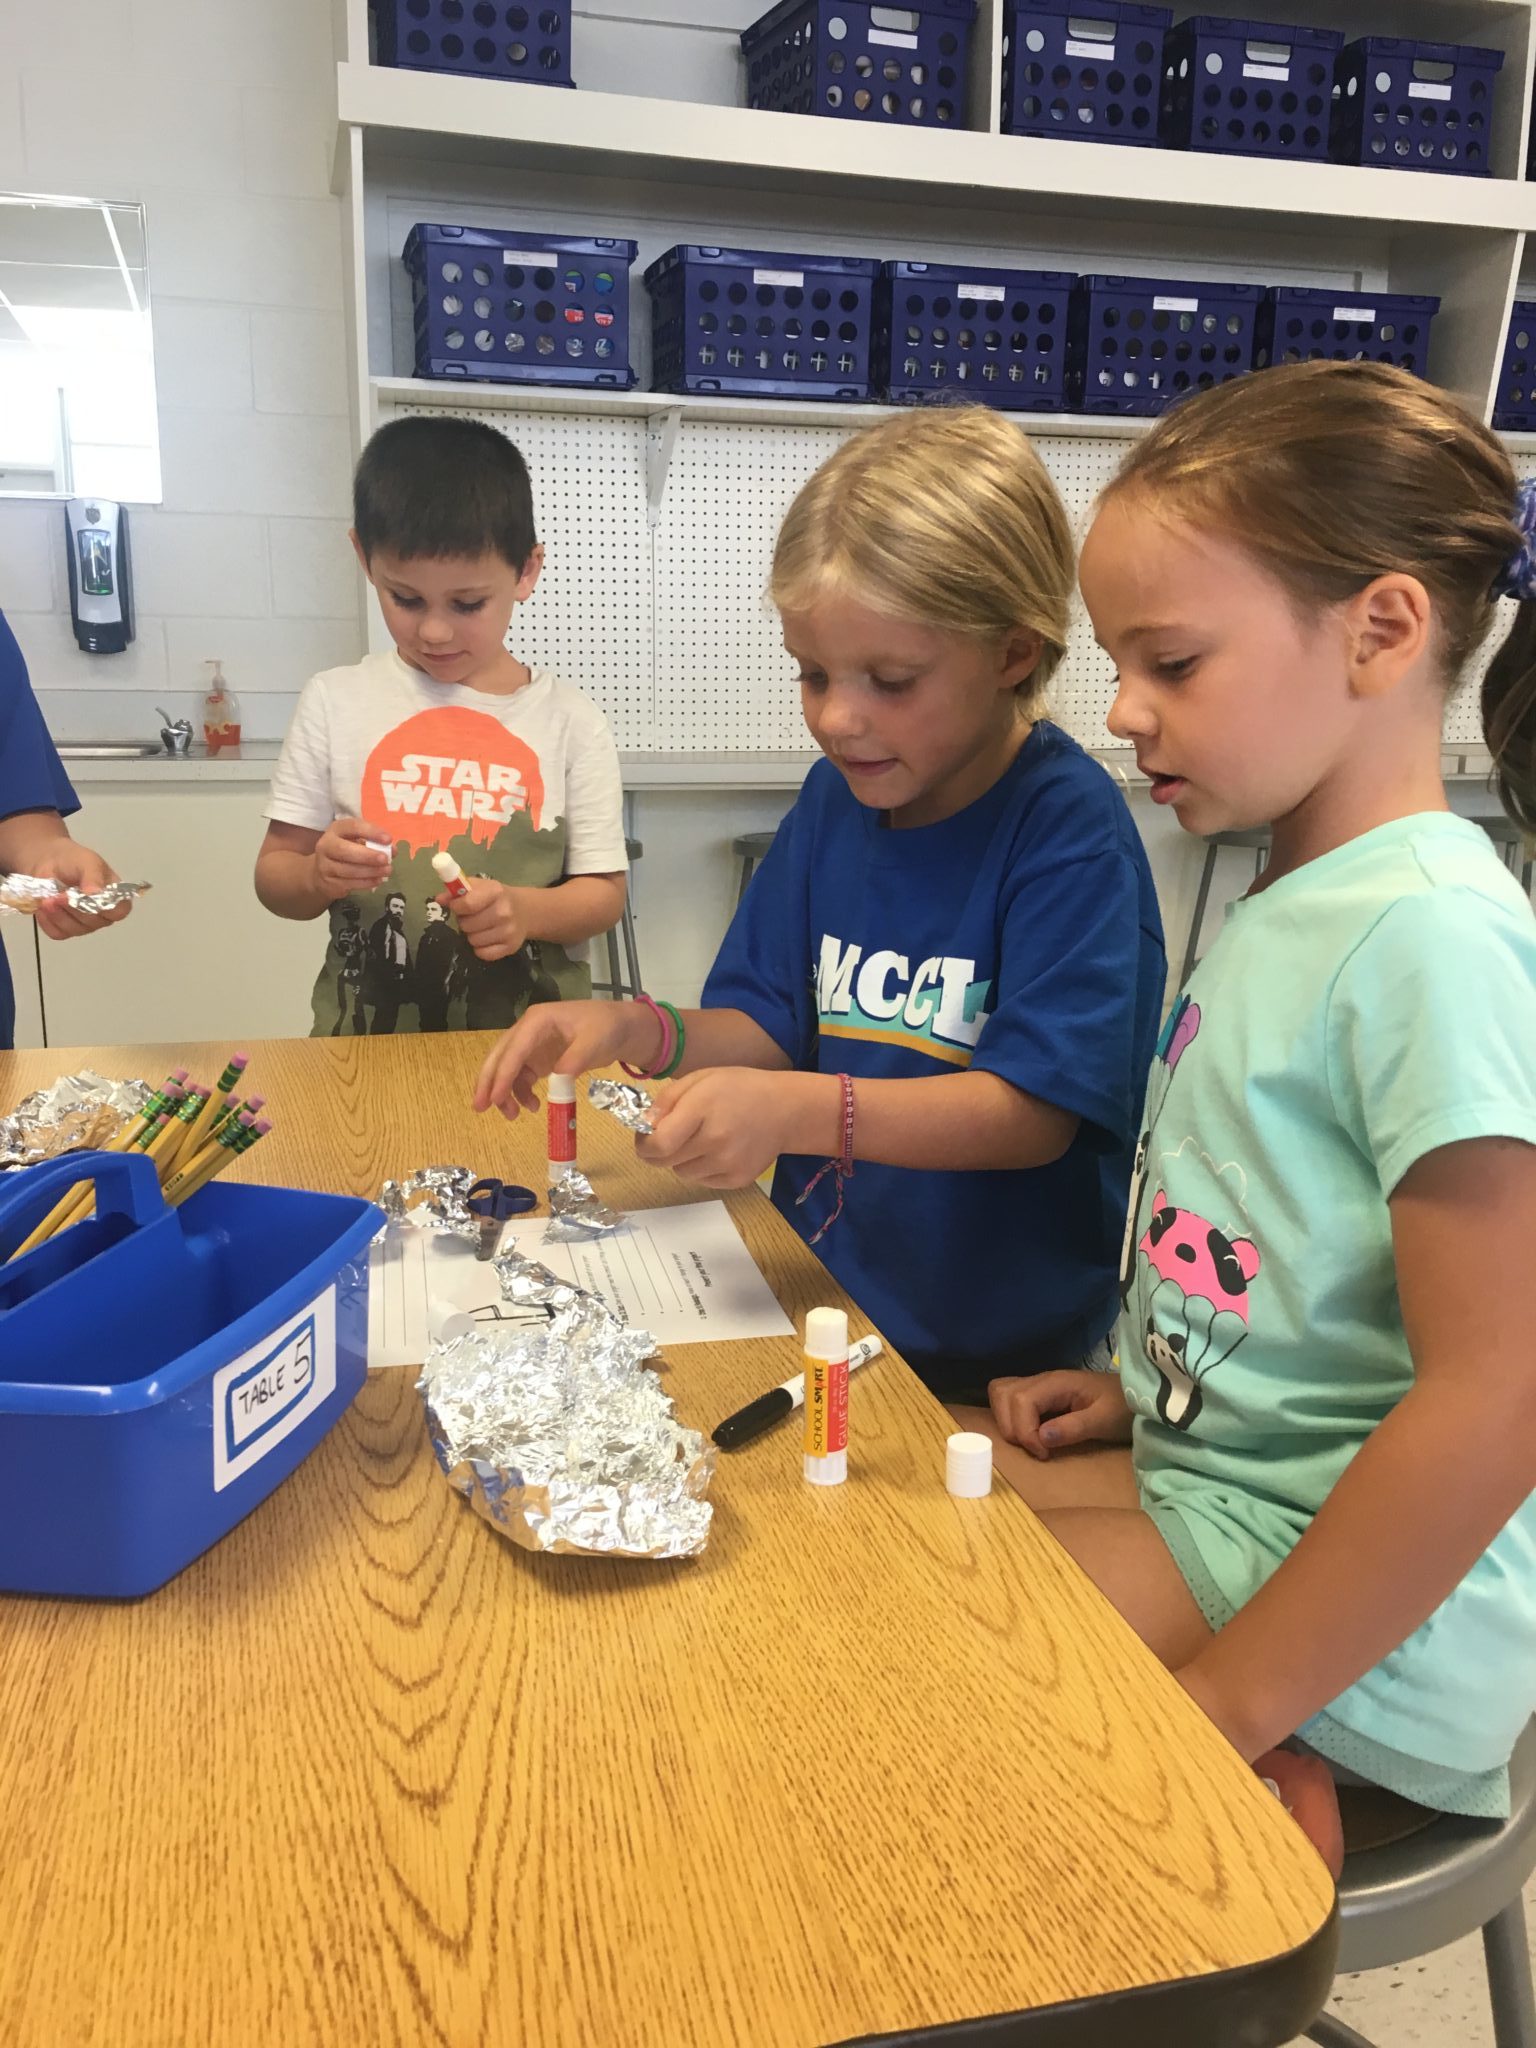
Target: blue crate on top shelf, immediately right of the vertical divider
(1091,75)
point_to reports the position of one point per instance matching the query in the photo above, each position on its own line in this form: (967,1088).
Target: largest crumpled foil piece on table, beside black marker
(562,1439)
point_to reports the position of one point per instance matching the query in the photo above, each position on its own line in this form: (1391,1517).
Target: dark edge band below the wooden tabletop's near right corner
(1252,2006)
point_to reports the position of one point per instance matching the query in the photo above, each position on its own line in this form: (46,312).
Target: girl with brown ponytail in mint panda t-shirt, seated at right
(1326,1525)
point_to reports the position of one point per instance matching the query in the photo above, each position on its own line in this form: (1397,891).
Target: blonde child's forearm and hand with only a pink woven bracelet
(728,1125)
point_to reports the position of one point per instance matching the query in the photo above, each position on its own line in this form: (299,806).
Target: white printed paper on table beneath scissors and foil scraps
(679,1273)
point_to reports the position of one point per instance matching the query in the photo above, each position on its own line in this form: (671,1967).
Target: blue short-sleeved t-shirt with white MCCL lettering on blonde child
(1019,937)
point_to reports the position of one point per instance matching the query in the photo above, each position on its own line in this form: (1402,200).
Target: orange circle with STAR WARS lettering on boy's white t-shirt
(447,775)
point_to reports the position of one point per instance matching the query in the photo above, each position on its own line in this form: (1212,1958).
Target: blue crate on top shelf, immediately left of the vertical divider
(861,62)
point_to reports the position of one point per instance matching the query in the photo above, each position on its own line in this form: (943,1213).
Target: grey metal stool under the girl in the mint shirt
(1439,1885)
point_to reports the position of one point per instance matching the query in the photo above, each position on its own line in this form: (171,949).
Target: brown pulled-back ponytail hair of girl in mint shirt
(1334,474)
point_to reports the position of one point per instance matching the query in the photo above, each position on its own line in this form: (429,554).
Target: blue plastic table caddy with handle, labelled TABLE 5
(163,1369)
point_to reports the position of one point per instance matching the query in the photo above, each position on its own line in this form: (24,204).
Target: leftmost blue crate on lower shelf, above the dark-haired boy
(511,308)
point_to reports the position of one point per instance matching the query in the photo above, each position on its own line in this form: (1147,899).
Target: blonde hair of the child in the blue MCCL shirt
(945,519)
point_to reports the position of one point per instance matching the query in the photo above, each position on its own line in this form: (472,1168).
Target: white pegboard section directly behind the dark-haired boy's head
(593,613)
